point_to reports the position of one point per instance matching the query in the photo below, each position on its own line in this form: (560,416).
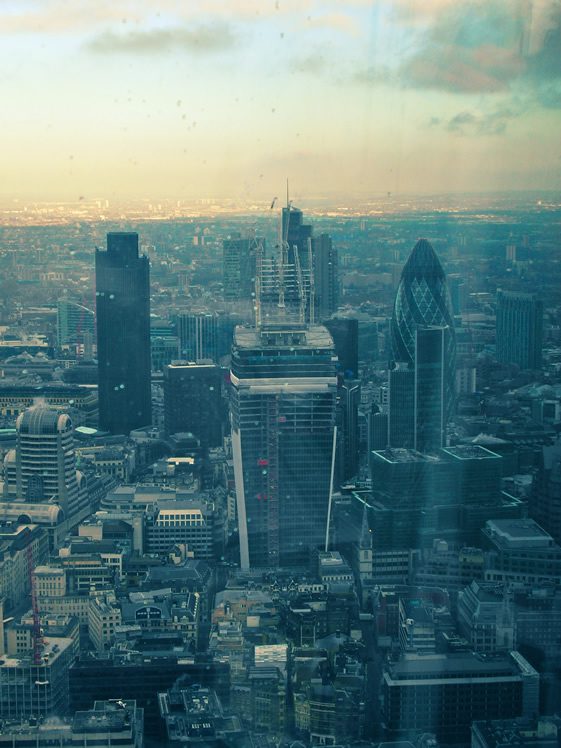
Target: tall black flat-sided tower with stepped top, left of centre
(123,334)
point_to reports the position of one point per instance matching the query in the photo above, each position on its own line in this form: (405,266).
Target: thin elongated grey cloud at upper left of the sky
(216,37)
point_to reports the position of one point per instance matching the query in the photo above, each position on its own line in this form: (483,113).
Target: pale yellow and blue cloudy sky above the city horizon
(126,99)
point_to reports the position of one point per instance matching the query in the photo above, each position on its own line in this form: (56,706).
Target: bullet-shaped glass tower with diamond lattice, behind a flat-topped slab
(423,300)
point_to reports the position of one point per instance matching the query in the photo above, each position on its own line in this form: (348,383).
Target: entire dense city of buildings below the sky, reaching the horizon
(275,476)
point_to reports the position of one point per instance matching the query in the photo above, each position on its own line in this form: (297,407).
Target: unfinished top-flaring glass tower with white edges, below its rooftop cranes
(283,398)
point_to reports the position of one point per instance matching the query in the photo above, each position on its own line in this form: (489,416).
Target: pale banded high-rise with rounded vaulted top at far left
(46,462)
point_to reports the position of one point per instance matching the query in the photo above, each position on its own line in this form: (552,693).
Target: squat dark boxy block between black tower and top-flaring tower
(193,401)
